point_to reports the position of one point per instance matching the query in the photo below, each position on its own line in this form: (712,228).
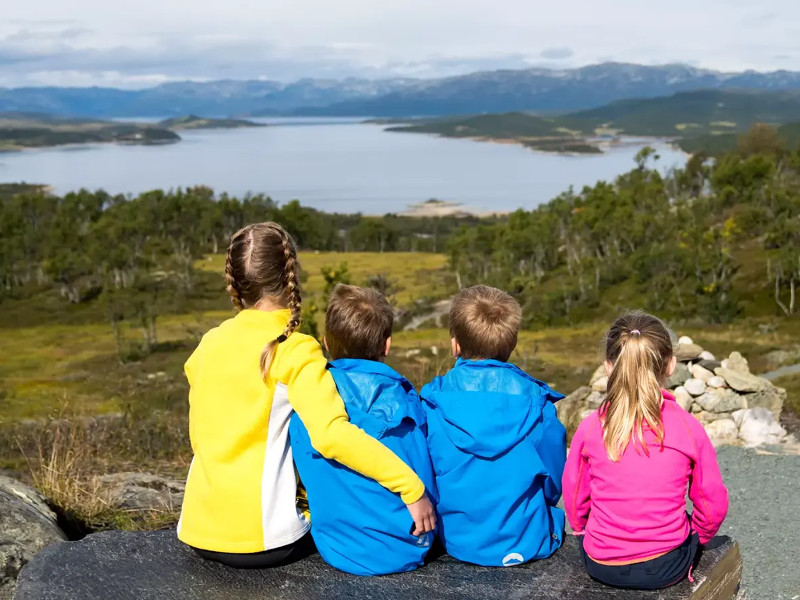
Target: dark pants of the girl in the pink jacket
(654,574)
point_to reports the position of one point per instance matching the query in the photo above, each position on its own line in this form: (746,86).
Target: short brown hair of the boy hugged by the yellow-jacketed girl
(357,323)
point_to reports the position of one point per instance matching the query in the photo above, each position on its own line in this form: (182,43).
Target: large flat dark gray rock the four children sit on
(156,566)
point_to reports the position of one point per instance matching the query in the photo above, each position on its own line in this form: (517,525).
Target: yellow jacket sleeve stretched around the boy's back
(313,395)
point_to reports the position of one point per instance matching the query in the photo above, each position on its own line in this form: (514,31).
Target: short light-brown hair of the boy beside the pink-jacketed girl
(485,322)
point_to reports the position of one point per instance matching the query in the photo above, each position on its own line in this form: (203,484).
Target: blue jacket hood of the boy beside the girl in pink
(487,407)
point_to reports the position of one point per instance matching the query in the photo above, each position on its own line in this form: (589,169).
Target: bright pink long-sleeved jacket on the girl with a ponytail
(635,509)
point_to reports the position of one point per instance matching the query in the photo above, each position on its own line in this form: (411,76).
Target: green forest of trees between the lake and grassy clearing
(708,241)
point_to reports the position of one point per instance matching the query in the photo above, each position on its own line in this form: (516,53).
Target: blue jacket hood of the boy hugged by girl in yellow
(377,397)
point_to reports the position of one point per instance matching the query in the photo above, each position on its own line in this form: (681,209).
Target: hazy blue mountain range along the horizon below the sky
(538,90)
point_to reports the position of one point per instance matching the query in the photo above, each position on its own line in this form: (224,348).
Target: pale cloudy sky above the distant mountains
(134,44)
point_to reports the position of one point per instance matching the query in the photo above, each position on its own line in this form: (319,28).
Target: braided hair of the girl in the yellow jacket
(262,262)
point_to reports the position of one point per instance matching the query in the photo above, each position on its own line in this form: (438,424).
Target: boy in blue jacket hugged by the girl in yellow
(357,525)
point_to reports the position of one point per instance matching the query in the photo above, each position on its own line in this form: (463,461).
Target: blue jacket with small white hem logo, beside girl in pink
(498,452)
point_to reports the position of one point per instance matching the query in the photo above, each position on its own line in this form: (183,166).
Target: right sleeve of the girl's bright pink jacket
(706,490)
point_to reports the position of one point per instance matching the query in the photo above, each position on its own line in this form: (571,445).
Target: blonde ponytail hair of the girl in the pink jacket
(640,348)
